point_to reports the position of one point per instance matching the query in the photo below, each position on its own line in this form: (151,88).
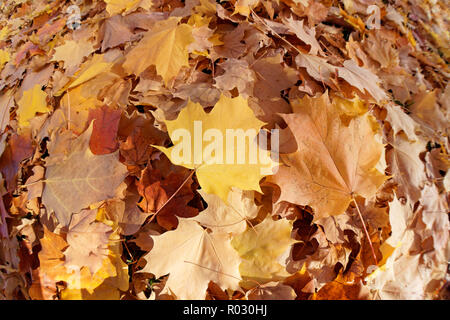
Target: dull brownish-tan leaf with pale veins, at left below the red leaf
(81,179)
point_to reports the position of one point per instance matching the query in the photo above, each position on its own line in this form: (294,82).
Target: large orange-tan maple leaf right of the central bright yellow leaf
(333,162)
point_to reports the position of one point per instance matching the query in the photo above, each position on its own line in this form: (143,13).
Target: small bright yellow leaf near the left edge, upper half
(33,101)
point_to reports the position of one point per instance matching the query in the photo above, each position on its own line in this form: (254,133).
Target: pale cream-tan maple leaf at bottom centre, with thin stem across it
(192,255)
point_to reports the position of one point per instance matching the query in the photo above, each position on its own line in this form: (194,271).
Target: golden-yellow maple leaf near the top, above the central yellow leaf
(165,46)
